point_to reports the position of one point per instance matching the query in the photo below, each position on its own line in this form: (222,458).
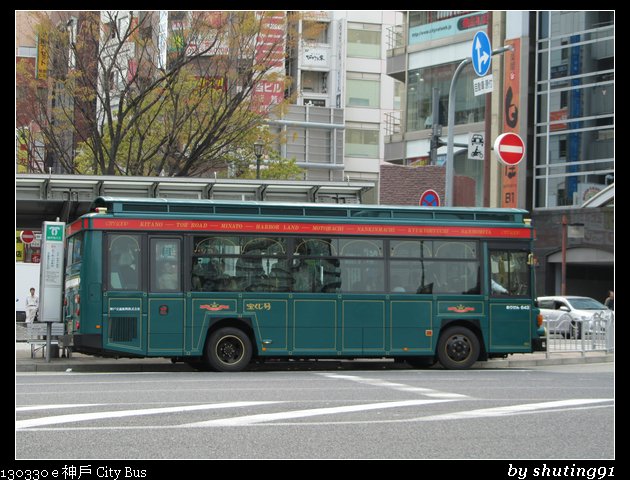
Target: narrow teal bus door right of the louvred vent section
(165,302)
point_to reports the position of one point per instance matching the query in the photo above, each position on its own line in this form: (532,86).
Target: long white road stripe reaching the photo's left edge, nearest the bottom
(82,417)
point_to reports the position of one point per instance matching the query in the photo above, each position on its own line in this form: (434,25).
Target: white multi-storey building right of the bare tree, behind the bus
(339,63)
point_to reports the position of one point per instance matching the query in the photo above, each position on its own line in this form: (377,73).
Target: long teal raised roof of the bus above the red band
(156,206)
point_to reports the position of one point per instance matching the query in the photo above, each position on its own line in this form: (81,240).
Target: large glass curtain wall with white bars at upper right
(574,148)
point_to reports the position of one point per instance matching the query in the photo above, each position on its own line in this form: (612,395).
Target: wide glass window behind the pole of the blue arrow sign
(469,108)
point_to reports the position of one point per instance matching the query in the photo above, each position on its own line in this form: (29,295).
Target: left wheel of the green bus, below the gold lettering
(228,350)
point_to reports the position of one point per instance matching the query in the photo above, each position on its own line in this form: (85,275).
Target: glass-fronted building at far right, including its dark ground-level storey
(574,154)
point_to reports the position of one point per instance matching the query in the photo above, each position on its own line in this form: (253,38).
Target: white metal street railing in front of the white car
(570,334)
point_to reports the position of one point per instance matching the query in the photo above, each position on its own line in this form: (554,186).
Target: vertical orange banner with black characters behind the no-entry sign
(511,121)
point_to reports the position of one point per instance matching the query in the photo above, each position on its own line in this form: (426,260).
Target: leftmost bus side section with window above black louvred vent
(124,296)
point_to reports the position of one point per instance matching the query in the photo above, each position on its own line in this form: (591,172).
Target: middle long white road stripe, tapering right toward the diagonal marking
(270,417)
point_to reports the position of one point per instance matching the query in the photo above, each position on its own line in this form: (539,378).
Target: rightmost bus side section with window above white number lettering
(510,302)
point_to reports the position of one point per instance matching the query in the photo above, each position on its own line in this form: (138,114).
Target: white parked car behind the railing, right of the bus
(570,316)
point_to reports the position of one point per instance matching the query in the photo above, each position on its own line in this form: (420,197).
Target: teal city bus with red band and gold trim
(218,284)
